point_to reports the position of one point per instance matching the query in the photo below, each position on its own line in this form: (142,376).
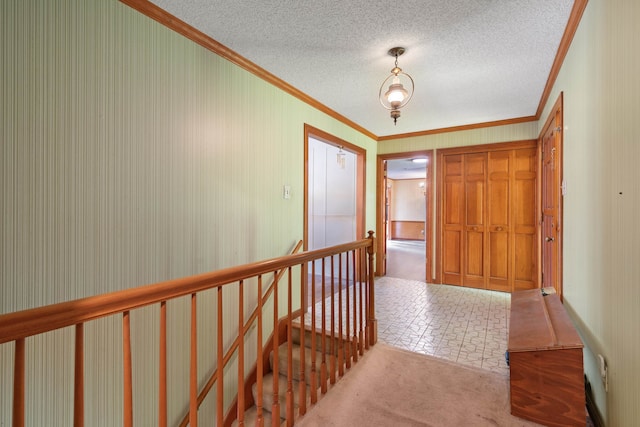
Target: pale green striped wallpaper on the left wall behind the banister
(131,155)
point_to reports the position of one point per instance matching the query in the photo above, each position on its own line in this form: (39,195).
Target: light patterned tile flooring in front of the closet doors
(464,325)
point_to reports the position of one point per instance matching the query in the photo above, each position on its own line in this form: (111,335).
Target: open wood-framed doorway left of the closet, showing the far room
(404,228)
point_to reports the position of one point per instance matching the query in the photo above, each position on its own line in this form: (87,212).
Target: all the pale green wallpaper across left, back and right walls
(131,155)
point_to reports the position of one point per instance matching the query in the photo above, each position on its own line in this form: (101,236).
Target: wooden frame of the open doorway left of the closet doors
(381,232)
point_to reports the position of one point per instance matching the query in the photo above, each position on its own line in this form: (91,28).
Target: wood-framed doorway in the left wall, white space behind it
(334,181)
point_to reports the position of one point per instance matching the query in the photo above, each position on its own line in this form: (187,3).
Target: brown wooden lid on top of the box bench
(540,322)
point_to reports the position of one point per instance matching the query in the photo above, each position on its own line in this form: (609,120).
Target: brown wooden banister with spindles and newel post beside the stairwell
(16,327)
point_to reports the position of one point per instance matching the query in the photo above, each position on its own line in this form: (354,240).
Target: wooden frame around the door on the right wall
(554,121)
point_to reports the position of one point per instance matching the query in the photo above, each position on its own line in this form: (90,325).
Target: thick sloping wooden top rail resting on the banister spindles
(26,323)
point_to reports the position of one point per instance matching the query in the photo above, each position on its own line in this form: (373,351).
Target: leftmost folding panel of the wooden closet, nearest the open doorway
(452,219)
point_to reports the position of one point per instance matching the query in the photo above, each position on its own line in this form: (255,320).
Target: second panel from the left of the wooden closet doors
(475,176)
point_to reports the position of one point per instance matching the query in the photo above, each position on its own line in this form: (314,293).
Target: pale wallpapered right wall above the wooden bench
(601,93)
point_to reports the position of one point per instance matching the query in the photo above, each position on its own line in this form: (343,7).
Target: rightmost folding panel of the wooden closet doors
(525,260)
